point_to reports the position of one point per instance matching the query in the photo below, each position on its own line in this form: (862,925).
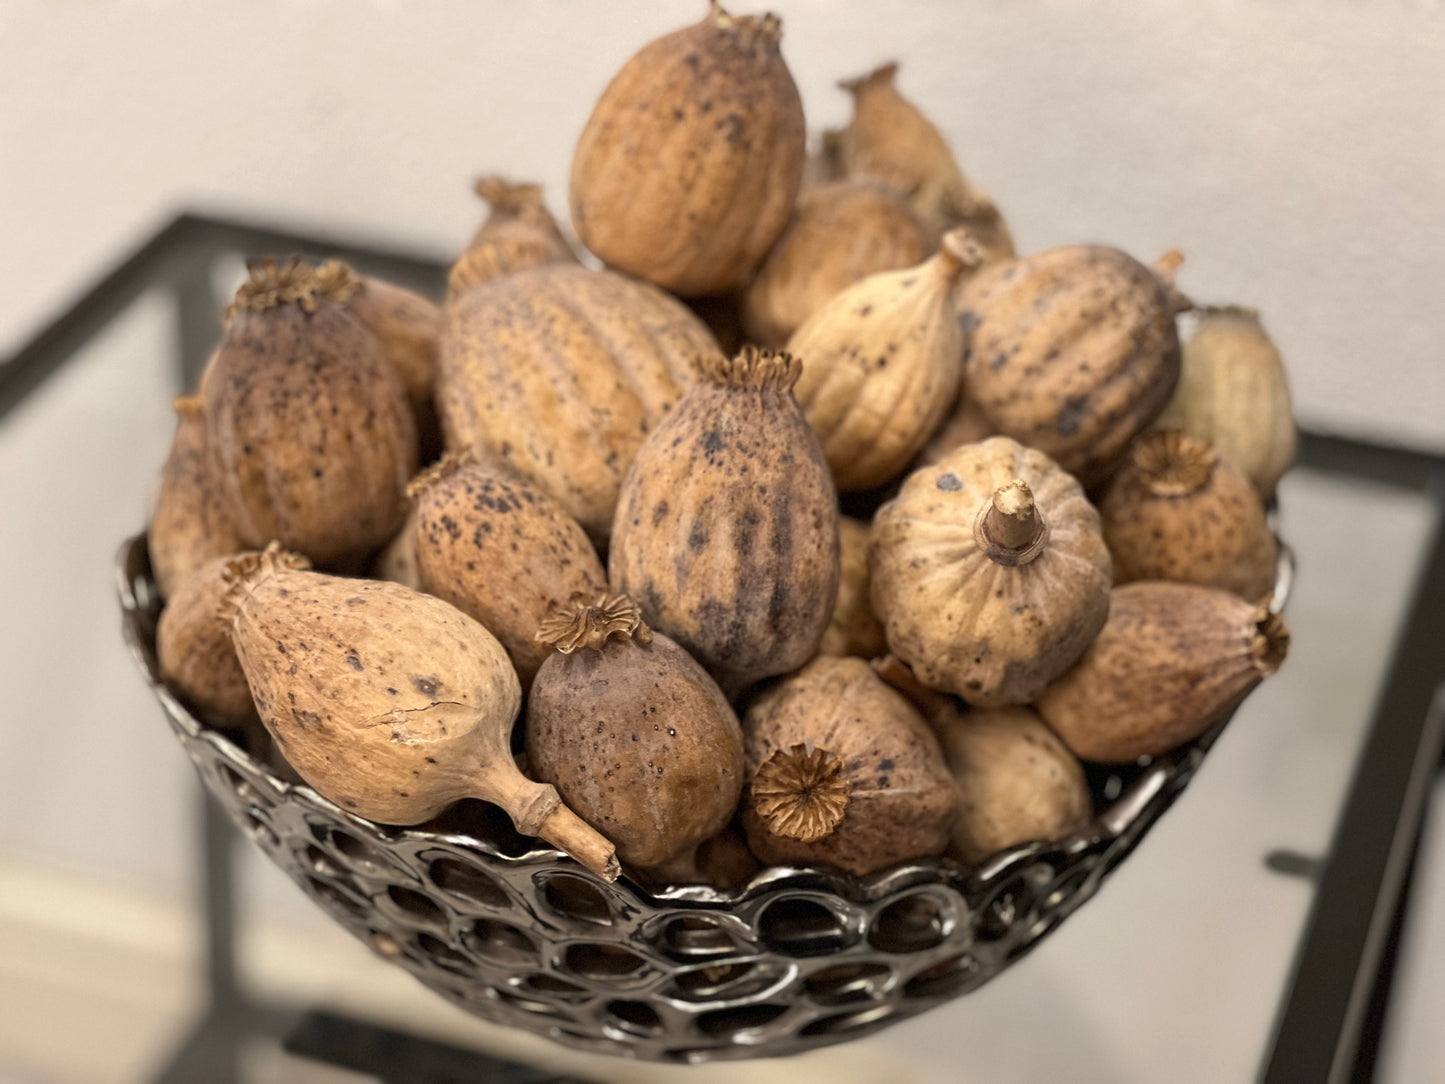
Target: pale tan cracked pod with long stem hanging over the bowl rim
(391,703)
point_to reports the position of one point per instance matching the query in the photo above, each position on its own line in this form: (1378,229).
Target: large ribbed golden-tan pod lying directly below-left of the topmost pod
(560,374)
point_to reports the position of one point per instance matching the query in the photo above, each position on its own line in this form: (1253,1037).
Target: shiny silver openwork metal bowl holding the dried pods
(524,936)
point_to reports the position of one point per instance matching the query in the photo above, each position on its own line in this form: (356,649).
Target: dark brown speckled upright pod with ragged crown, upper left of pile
(311,436)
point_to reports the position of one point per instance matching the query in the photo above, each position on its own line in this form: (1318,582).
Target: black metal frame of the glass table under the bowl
(1332,1020)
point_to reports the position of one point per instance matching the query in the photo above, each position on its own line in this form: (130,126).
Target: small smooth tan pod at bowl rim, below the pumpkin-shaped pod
(1017,781)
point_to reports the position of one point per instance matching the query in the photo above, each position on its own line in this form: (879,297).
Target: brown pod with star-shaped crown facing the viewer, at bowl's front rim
(843,773)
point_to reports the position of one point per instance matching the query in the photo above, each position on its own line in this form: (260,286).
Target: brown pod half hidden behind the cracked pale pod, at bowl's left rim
(194,644)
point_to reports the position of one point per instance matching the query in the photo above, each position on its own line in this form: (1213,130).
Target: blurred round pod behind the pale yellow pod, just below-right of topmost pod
(839,235)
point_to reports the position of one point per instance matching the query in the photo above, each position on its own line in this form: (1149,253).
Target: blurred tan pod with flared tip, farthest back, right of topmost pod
(894,142)
